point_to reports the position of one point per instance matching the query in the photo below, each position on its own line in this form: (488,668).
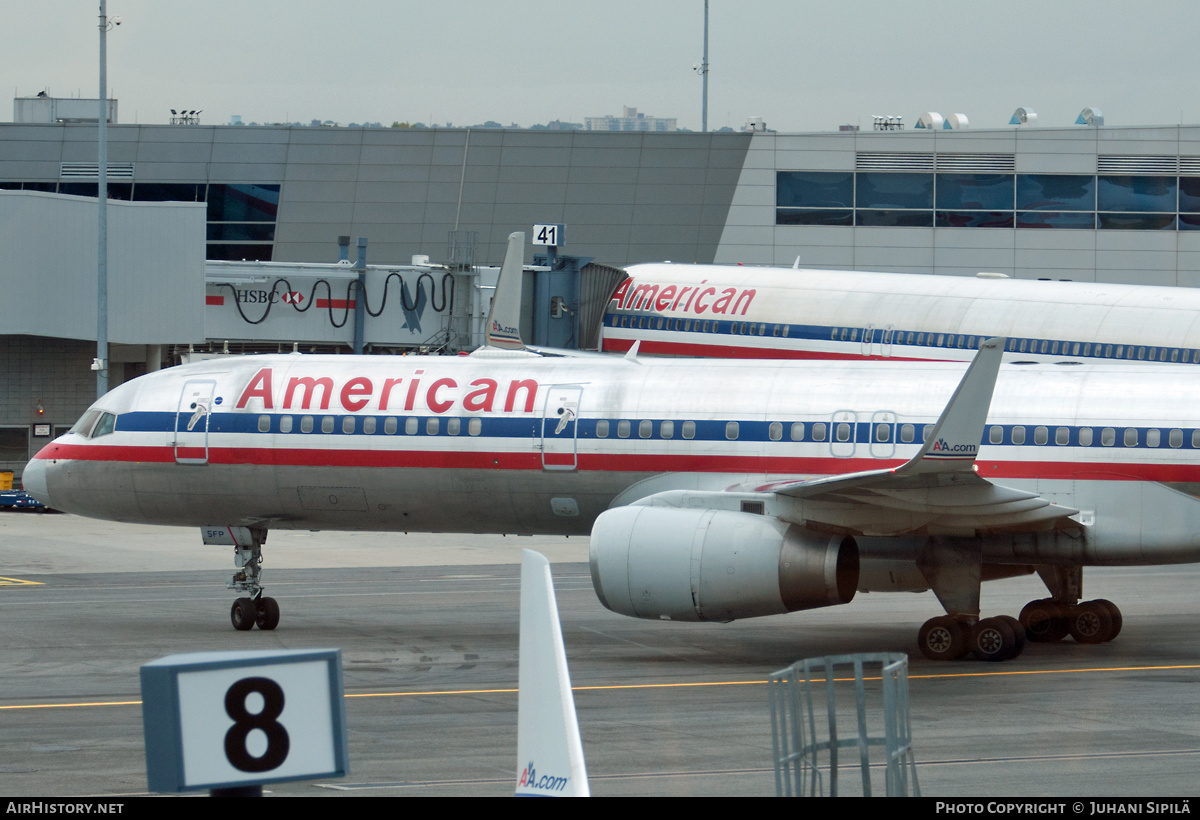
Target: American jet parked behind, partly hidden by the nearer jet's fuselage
(741,312)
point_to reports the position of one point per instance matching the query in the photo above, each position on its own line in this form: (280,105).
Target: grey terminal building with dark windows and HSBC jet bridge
(1085,202)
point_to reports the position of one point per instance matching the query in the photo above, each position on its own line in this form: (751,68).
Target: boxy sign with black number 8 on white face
(224,720)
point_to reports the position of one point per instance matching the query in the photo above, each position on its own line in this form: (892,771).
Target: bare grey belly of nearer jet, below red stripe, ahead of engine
(527,502)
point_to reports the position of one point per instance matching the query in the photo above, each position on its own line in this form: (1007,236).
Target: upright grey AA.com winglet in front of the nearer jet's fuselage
(955,441)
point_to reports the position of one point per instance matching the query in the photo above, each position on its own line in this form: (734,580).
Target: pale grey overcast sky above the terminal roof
(803,67)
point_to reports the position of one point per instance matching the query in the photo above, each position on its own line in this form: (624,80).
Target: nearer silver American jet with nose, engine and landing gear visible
(712,490)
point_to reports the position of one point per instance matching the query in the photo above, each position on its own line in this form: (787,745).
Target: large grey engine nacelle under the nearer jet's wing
(705,565)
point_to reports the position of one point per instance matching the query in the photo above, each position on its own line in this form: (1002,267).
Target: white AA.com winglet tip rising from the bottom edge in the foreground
(550,755)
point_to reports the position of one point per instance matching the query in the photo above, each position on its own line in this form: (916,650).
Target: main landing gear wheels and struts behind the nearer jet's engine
(955,571)
